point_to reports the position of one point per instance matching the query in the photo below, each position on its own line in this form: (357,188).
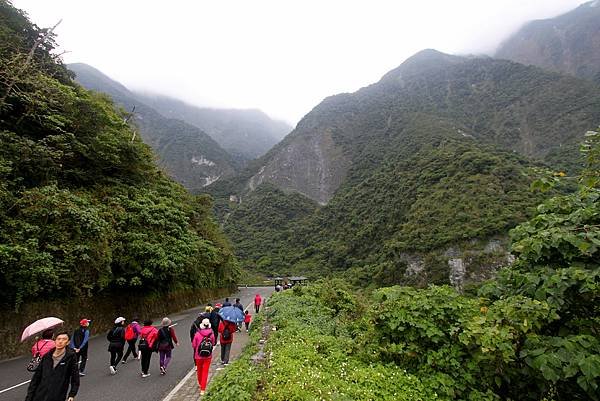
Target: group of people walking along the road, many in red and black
(63,360)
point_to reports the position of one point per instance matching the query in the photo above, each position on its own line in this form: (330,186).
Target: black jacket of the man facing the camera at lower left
(51,384)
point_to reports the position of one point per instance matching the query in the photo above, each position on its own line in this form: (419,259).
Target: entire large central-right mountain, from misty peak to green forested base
(416,178)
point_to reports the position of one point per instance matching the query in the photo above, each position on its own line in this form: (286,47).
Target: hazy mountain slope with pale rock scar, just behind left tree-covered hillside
(185,152)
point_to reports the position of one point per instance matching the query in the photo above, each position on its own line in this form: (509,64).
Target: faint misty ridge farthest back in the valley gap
(245,134)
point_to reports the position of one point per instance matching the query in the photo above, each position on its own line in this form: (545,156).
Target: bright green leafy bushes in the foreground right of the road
(533,333)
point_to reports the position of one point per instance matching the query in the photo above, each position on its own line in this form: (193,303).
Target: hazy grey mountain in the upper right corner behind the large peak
(569,43)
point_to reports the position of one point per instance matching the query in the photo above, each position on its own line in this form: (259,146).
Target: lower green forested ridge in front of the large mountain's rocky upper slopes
(432,190)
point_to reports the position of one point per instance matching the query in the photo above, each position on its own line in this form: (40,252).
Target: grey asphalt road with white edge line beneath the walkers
(99,385)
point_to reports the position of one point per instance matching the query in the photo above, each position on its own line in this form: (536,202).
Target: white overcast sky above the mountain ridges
(281,56)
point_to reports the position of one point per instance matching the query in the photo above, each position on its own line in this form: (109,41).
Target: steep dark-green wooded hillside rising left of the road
(83,208)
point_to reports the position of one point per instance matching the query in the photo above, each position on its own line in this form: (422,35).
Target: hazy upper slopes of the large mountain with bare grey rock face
(494,101)
